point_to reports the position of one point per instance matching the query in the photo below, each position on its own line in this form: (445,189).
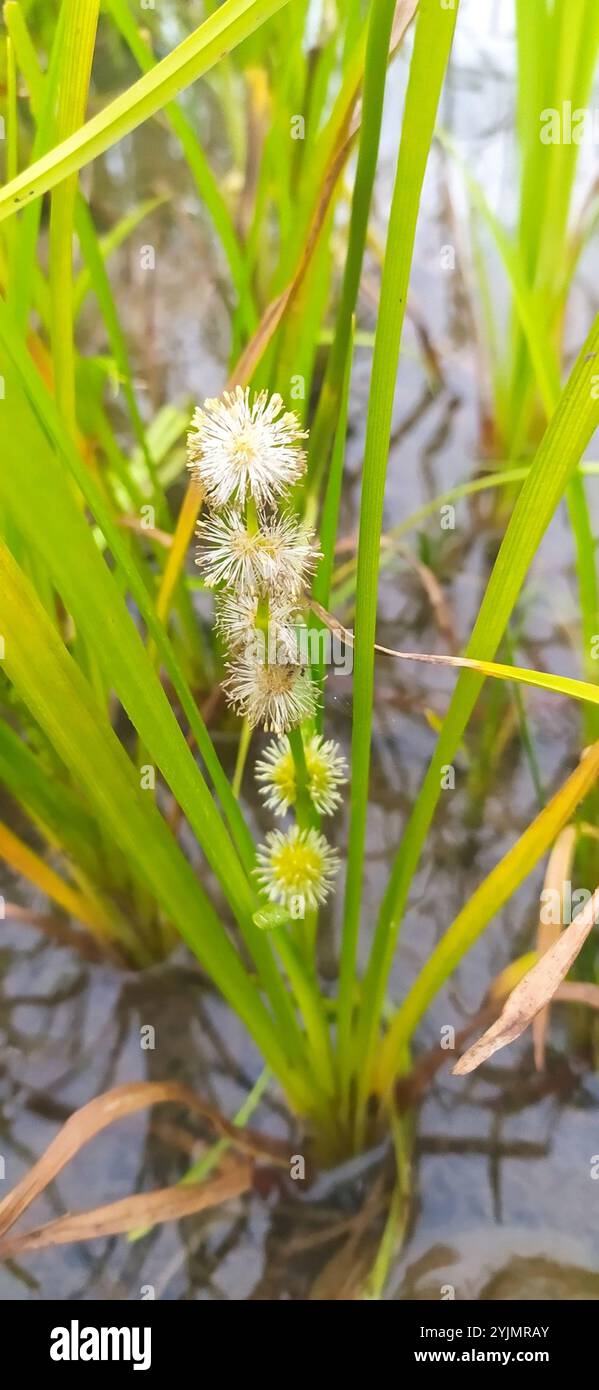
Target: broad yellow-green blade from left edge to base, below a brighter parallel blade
(65,707)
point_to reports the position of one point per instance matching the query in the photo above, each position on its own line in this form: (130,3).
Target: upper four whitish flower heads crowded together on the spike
(245,454)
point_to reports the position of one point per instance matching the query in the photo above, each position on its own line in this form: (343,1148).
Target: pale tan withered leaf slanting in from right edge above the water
(534,992)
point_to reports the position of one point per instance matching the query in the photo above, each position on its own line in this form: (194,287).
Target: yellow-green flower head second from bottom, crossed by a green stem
(326,774)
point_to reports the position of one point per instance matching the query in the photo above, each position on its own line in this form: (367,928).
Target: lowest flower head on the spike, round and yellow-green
(297,868)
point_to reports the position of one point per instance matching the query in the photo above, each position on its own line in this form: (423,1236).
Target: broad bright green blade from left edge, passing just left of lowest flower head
(91,594)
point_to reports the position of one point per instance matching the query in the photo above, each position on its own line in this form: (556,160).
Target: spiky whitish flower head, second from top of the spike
(277,558)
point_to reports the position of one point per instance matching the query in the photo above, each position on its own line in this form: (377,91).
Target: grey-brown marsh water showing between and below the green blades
(504,1204)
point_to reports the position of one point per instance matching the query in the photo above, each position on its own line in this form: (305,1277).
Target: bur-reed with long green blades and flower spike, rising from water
(105,662)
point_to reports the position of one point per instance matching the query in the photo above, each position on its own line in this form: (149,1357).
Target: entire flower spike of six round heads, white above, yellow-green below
(247,455)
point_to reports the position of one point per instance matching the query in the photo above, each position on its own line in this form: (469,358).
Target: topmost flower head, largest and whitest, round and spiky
(241,448)
